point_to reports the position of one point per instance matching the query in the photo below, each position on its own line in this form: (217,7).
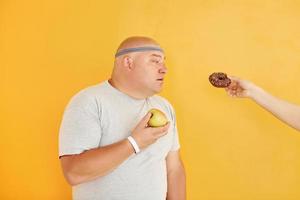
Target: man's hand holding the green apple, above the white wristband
(145,135)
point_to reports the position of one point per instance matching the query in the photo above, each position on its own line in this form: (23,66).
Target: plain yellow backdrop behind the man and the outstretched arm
(232,148)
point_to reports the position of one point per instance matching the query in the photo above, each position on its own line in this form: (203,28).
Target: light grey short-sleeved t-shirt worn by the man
(101,115)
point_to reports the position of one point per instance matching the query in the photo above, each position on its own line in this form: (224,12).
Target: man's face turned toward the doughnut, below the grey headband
(150,69)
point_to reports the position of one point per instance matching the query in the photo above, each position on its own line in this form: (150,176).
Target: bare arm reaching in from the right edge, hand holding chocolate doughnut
(283,110)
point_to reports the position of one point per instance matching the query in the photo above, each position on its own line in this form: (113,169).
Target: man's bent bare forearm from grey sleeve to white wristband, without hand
(95,162)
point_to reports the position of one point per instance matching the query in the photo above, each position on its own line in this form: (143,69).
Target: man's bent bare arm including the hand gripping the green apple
(100,161)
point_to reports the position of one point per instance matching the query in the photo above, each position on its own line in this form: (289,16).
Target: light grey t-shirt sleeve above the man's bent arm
(80,129)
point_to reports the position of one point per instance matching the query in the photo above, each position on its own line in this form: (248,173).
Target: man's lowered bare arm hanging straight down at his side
(176,177)
